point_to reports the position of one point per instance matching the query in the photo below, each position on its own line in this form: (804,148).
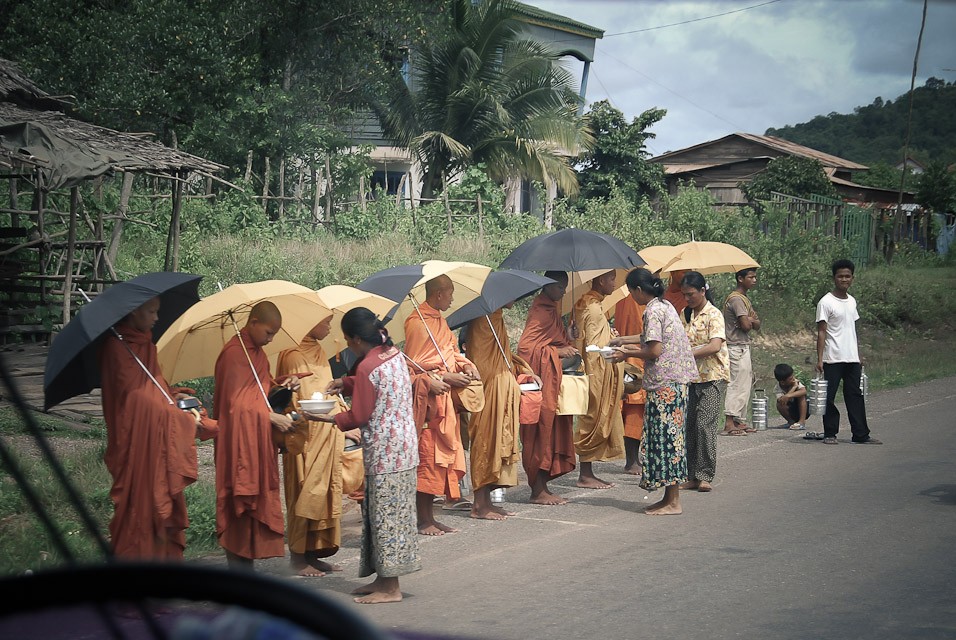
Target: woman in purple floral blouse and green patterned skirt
(669,367)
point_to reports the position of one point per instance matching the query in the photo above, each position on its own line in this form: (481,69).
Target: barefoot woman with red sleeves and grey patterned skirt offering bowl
(381,394)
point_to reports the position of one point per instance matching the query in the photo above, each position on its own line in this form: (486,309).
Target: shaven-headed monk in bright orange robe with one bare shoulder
(436,367)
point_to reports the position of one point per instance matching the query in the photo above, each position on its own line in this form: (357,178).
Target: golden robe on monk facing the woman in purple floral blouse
(600,433)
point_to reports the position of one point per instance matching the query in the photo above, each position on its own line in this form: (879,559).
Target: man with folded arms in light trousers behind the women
(740,319)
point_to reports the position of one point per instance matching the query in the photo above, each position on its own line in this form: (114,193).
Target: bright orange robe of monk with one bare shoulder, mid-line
(440,451)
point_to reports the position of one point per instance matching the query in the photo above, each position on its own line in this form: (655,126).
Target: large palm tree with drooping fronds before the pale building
(488,94)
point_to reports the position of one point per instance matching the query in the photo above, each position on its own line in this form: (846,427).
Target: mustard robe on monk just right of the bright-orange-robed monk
(493,431)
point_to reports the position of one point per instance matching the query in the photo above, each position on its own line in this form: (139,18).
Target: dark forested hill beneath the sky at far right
(877,132)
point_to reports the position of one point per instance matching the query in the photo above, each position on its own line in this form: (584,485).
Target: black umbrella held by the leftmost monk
(71,364)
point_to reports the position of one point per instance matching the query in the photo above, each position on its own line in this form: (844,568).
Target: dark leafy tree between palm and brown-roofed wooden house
(619,157)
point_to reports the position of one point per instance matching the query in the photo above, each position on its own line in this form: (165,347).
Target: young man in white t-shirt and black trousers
(838,357)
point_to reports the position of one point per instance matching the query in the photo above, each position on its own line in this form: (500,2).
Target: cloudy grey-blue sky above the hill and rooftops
(765,63)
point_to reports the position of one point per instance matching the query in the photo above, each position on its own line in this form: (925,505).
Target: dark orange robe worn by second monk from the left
(249,519)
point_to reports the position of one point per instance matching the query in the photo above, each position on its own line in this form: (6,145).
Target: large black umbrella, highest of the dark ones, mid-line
(572,250)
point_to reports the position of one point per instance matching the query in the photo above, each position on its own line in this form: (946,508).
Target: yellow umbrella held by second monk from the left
(191,345)
